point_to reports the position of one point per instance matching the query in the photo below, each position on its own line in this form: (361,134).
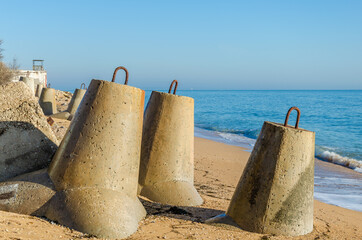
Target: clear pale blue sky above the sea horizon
(309,44)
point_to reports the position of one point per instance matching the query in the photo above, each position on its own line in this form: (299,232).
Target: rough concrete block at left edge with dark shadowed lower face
(27,142)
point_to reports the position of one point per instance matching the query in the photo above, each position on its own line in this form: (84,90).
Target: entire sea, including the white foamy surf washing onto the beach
(236,118)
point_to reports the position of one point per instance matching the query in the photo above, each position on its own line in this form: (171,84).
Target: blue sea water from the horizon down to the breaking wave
(335,116)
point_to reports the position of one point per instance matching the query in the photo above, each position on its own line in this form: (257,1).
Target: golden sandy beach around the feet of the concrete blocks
(217,170)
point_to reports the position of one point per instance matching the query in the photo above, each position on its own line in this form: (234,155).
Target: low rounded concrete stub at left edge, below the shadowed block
(27,194)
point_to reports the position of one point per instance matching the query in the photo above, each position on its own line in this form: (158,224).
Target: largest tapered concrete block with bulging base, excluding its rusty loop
(95,169)
